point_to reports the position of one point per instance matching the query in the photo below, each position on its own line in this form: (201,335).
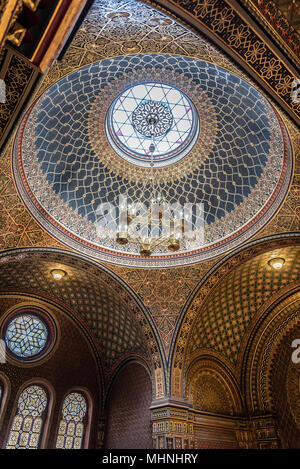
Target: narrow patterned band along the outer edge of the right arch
(200,294)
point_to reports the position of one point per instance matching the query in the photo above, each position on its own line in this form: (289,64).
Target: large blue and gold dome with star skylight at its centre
(218,142)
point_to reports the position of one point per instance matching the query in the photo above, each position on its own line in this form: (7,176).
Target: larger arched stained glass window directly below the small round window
(27,424)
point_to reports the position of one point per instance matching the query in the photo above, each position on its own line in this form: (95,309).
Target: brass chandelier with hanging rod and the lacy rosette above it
(168,228)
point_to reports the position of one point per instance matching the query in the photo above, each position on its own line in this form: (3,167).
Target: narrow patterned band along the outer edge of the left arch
(111,280)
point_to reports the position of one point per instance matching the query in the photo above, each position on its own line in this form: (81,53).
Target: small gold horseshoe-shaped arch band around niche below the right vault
(211,365)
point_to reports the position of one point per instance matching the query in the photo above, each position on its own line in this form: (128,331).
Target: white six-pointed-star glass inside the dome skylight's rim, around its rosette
(169,138)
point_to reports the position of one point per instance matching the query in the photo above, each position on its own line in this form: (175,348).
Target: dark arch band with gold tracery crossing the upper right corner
(232,29)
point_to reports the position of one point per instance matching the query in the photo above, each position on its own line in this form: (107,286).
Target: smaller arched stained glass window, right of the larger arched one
(71,427)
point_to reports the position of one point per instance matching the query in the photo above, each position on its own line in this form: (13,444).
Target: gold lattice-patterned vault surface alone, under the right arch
(234,302)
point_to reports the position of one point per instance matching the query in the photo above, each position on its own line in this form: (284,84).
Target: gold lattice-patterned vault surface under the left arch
(95,300)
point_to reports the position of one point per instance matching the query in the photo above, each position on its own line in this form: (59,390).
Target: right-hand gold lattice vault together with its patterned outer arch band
(227,302)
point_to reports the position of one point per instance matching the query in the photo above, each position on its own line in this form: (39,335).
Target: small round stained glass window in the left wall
(26,335)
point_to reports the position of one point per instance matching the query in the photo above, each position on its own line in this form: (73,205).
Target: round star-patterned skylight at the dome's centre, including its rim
(152,111)
